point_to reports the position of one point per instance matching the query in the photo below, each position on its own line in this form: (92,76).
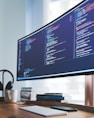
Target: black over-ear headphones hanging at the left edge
(10,83)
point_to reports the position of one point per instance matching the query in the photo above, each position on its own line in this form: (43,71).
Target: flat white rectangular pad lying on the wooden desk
(44,111)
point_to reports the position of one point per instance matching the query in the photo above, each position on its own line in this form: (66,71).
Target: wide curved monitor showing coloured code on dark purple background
(61,48)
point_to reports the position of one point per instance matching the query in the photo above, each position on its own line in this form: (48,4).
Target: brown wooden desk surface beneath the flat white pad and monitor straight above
(9,110)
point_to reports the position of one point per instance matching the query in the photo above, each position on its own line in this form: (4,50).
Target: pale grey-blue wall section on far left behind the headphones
(12,27)
